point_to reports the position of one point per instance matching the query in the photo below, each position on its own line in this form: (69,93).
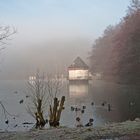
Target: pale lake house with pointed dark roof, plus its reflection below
(78,76)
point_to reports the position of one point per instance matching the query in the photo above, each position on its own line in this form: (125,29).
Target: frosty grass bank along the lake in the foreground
(127,130)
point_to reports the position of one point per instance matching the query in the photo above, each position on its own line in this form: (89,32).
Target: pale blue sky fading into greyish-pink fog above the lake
(51,33)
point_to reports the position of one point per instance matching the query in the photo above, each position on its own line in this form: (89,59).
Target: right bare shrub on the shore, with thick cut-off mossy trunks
(56,106)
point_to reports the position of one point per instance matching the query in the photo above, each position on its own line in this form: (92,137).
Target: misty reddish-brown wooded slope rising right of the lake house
(116,54)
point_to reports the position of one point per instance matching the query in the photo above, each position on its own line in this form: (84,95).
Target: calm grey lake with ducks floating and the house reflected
(105,102)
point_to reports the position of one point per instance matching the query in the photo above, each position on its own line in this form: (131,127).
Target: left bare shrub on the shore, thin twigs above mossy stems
(37,91)
